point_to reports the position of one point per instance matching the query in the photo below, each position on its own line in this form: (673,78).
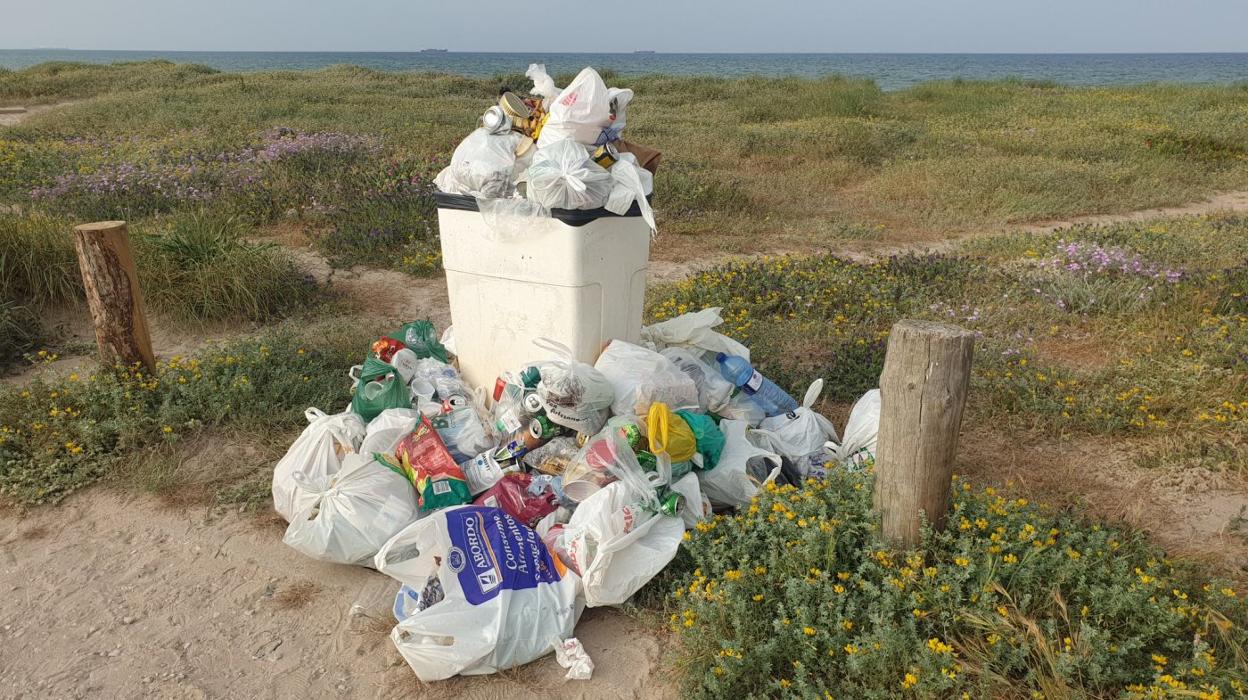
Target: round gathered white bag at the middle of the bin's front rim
(563,177)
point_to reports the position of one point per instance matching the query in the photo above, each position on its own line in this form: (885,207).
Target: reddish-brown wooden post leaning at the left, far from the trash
(113,295)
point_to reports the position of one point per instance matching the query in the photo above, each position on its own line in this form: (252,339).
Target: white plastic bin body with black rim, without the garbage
(577,278)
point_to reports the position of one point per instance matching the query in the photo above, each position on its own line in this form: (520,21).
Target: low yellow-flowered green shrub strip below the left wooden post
(61,435)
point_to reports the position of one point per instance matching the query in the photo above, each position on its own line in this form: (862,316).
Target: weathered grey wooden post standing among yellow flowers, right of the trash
(923,392)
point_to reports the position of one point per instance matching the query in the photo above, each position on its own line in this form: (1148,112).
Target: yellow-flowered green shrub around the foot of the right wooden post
(796,597)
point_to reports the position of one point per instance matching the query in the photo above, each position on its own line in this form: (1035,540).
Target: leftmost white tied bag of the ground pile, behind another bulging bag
(316,454)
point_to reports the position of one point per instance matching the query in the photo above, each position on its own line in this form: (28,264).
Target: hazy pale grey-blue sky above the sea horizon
(623,26)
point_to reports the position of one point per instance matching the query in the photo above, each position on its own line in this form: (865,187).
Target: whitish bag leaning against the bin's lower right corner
(642,377)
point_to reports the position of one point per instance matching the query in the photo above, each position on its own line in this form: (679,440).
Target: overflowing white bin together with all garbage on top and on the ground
(553,457)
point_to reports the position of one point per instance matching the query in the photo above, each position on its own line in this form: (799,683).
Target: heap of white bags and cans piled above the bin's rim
(556,149)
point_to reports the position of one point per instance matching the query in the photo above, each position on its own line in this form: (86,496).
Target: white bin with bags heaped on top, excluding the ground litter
(546,225)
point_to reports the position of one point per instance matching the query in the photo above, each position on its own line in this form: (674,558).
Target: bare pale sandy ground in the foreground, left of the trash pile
(113,596)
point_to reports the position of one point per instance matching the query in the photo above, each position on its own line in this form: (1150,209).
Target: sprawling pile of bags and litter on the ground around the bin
(504,512)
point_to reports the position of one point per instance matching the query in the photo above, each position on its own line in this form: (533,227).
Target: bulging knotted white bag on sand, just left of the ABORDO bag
(353,513)
